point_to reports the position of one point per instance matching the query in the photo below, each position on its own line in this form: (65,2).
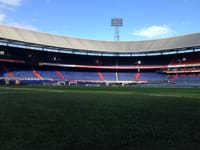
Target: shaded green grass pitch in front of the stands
(65,118)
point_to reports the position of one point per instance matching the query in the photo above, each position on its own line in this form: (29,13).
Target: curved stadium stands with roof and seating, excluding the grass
(29,57)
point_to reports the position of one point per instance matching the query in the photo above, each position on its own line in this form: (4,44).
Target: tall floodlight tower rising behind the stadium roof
(116,22)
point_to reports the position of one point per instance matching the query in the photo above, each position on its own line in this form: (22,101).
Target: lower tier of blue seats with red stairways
(90,75)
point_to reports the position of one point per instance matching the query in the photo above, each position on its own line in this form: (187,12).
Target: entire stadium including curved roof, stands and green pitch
(69,93)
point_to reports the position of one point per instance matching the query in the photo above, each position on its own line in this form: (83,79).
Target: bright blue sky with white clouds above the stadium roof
(90,19)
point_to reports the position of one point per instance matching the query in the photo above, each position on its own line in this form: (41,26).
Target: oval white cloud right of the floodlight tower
(156,31)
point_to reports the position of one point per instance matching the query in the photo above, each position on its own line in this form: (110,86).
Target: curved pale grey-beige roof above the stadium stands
(27,36)
